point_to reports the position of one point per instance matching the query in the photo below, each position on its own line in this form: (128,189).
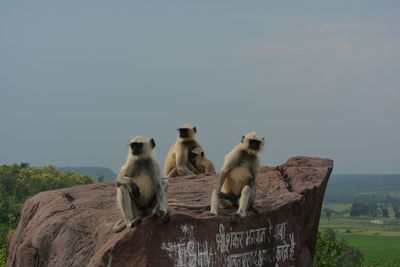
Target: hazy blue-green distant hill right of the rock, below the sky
(363,188)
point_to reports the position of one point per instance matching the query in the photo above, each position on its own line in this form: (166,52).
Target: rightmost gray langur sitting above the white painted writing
(237,180)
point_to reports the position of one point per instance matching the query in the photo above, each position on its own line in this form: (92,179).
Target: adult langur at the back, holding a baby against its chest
(177,160)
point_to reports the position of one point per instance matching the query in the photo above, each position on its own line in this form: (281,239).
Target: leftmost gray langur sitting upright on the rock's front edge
(139,186)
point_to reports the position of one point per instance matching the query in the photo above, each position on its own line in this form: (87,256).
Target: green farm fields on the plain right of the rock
(374,241)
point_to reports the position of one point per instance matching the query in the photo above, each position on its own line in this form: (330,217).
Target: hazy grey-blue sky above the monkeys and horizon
(79,79)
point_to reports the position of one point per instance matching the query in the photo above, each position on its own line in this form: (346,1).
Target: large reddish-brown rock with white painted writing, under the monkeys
(72,227)
